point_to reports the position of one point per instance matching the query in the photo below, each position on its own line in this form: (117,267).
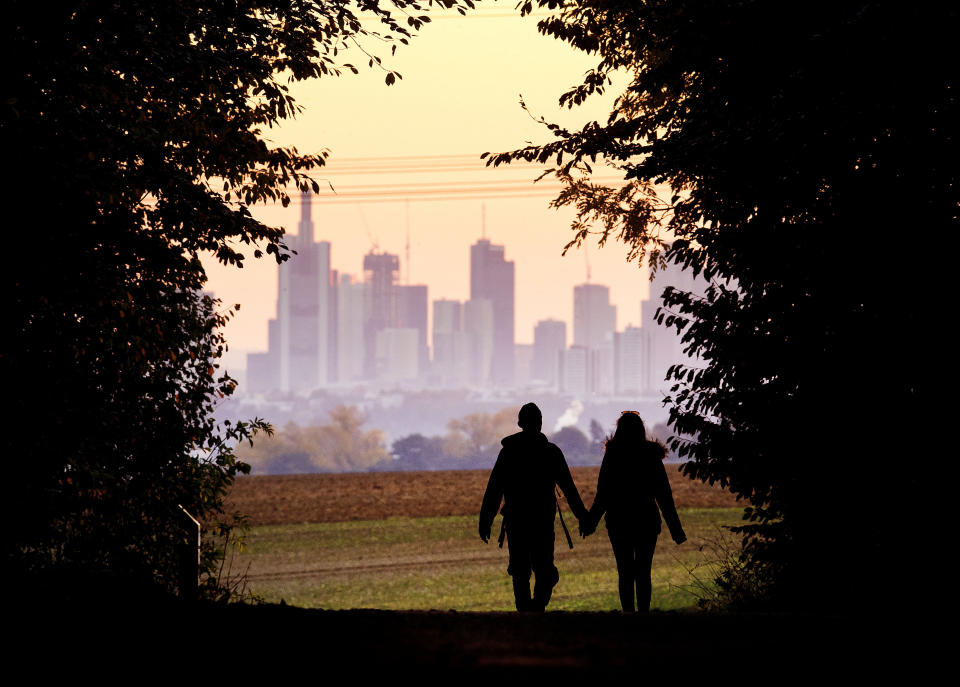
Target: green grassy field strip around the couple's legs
(440,563)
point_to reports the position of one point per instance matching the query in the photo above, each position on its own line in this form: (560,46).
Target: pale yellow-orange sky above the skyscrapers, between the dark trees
(459,97)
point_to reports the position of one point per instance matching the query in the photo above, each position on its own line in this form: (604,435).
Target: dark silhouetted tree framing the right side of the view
(785,152)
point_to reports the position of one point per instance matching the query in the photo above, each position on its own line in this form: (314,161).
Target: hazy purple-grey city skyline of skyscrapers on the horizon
(337,329)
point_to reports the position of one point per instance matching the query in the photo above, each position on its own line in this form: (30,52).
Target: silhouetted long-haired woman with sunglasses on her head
(632,483)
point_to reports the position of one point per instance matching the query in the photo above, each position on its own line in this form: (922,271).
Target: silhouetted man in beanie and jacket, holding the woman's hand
(524,476)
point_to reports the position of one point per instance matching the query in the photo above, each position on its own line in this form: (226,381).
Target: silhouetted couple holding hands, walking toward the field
(632,491)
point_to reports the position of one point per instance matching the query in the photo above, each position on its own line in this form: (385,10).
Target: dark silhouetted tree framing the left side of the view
(136,134)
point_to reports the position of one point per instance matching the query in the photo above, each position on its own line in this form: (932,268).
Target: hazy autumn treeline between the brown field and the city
(471,442)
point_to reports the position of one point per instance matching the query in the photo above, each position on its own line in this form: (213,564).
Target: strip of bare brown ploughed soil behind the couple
(290,499)
